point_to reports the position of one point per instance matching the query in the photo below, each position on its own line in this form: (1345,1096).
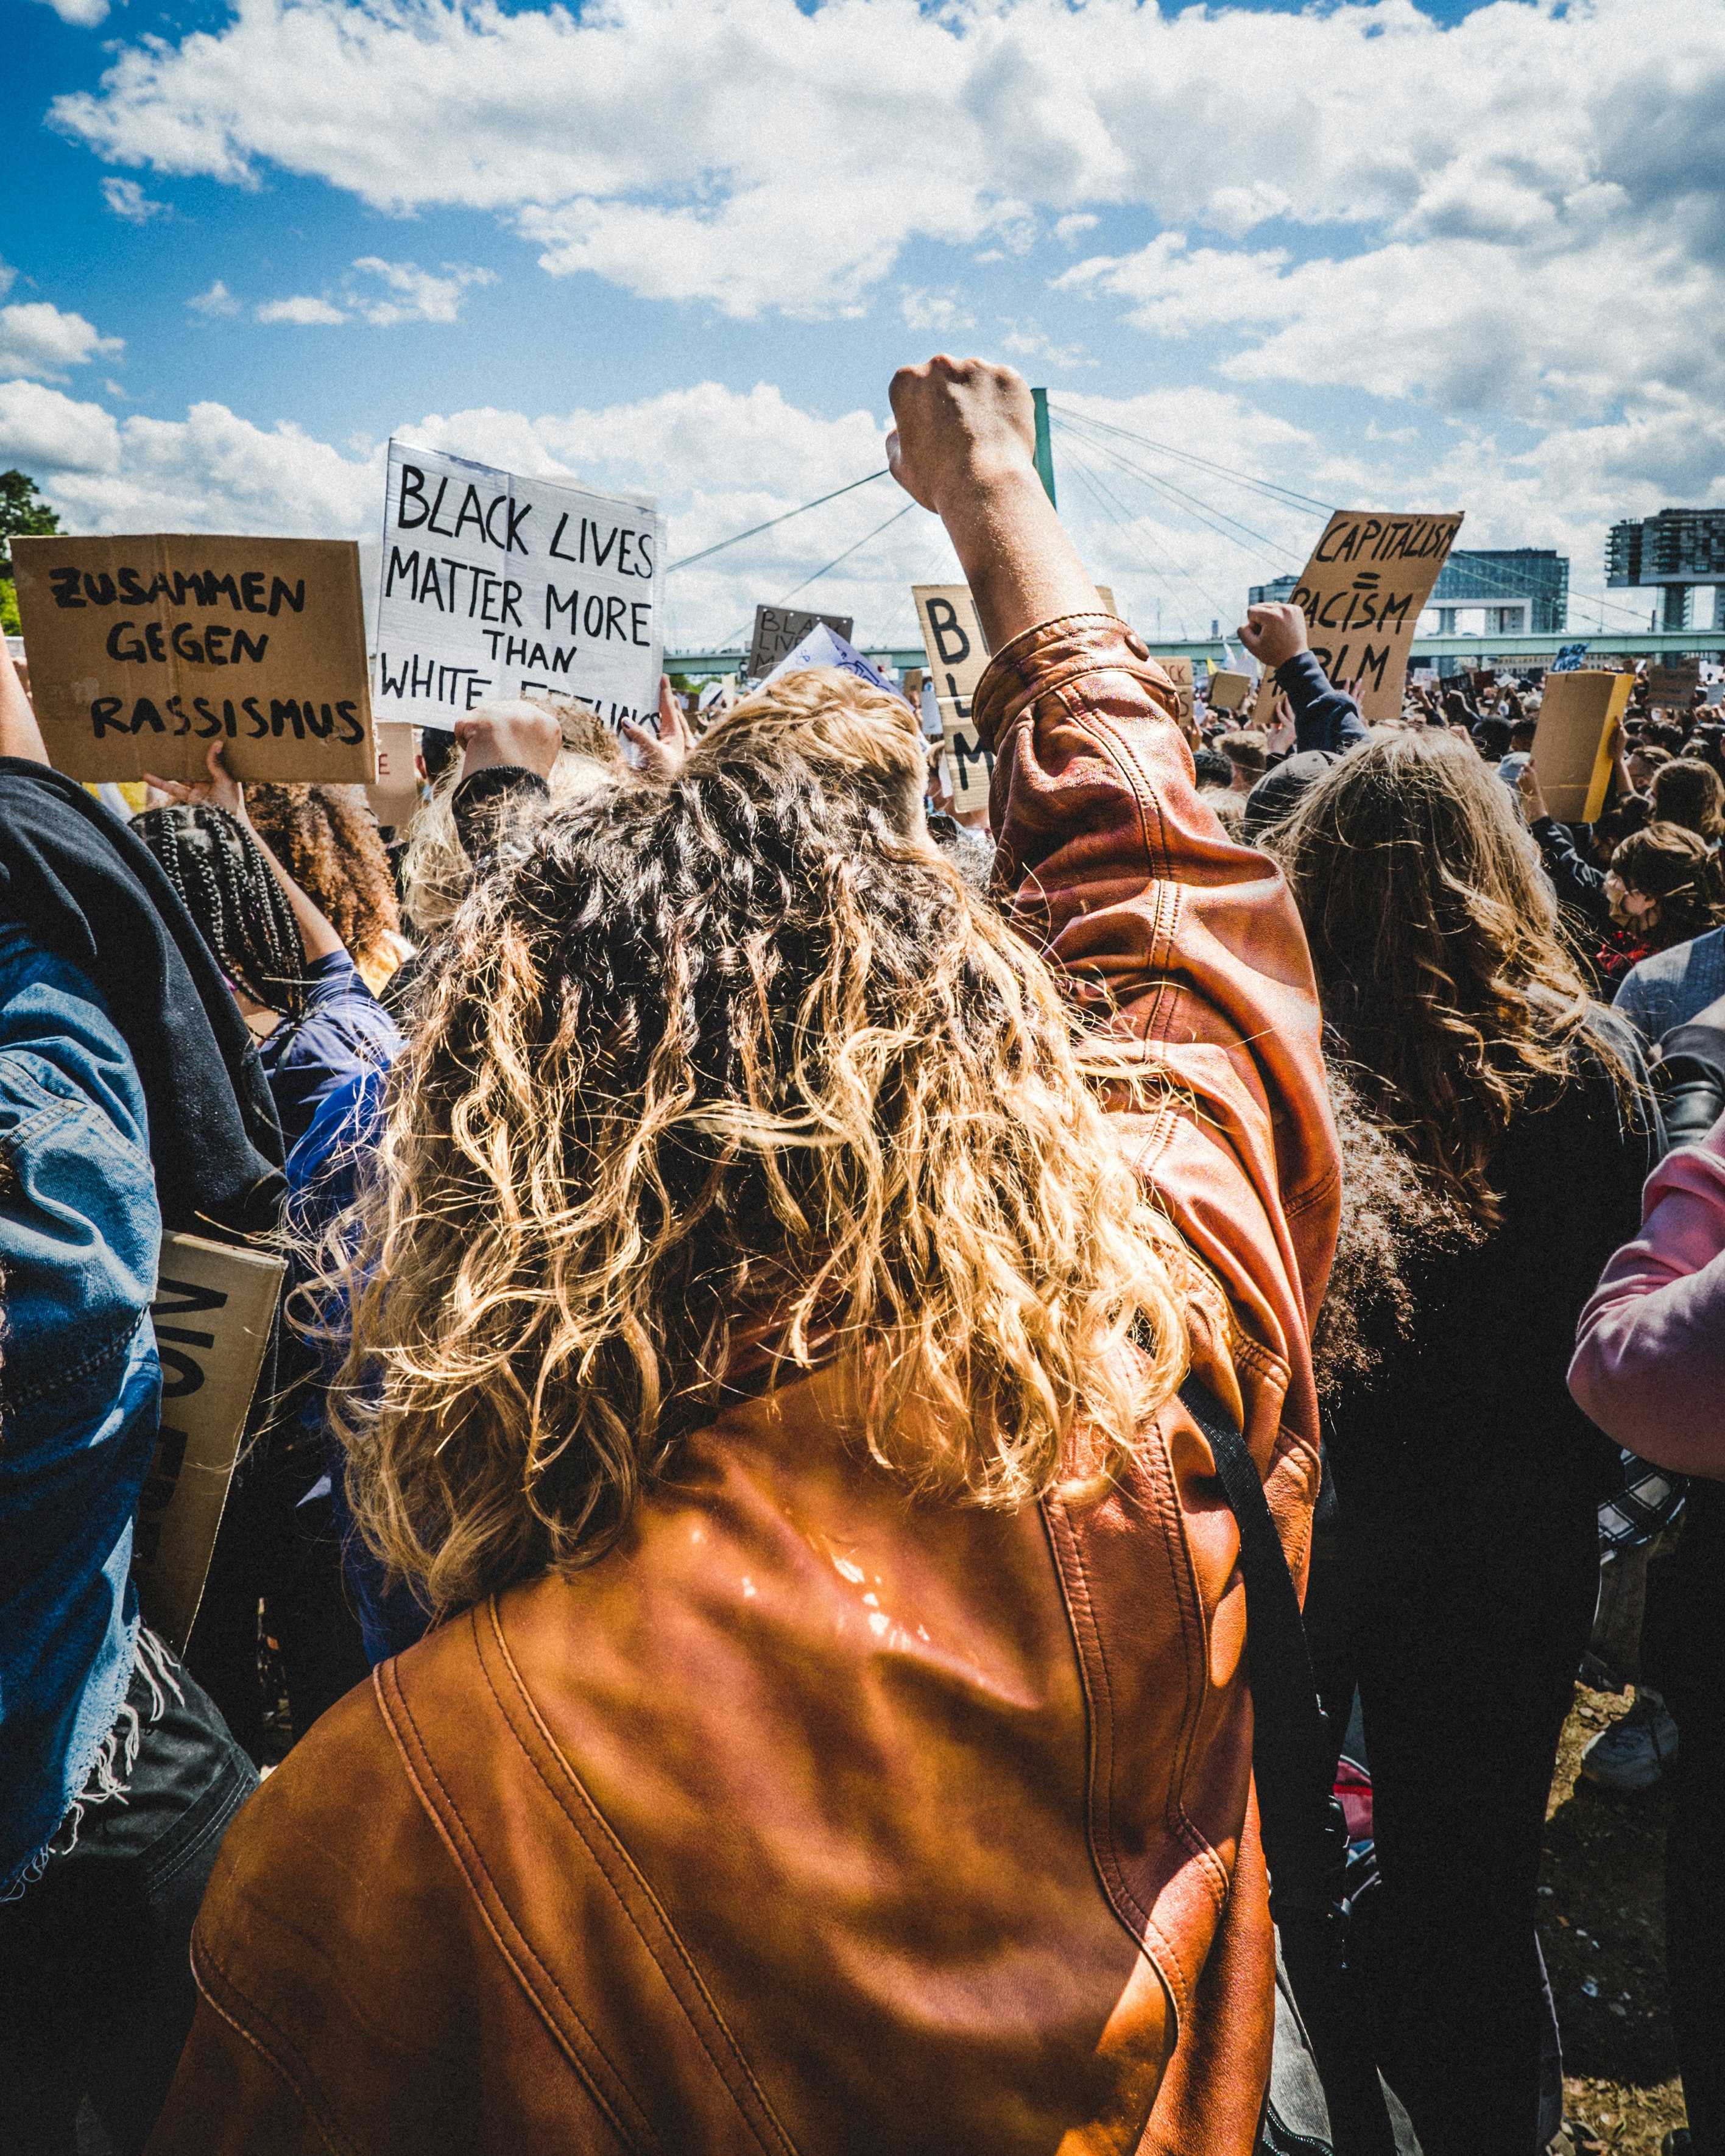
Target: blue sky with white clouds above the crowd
(1375,255)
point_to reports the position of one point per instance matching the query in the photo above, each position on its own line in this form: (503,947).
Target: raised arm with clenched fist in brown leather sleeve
(1114,866)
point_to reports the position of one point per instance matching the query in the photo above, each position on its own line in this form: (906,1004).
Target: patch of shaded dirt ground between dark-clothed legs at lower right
(1603,1933)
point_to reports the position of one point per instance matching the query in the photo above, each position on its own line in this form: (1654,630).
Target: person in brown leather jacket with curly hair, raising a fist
(767,1331)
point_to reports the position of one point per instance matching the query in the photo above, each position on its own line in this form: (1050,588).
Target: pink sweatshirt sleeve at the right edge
(1651,1359)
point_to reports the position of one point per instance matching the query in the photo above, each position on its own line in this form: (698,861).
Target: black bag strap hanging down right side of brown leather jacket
(1306,1836)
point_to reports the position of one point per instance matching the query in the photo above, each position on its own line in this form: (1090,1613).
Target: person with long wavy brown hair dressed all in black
(1469,1482)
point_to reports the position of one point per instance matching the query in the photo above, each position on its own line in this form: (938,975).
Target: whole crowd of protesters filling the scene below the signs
(726,1631)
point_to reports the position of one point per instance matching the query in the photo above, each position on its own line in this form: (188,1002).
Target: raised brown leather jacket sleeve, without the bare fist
(1176,937)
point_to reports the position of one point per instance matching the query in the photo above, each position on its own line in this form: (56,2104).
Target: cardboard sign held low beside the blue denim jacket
(212,1318)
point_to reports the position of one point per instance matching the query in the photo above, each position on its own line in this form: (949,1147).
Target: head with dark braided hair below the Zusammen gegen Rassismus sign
(232,892)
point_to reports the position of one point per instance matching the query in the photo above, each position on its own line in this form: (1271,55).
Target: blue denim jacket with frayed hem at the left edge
(79,1385)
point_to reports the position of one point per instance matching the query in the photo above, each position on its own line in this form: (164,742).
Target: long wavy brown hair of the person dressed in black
(1437,948)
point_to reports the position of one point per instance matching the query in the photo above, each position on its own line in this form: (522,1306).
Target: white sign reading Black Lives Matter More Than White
(495,585)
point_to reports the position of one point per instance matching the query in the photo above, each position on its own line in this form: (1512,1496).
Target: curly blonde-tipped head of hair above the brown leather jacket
(717,1083)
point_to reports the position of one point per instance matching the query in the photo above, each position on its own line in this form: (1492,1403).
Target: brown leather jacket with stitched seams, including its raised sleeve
(812,1819)
